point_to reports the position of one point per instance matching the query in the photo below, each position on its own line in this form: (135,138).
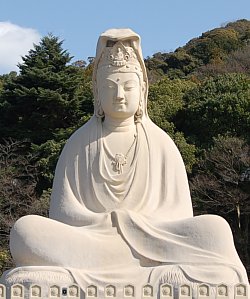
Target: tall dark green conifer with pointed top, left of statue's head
(47,95)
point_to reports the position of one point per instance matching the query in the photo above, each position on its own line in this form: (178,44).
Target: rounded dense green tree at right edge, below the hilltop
(219,105)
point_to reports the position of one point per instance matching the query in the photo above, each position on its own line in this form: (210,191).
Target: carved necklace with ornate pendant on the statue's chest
(119,160)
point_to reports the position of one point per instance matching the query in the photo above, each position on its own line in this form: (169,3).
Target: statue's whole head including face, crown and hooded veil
(119,68)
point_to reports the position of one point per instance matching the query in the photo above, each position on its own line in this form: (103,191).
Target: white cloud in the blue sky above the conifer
(15,41)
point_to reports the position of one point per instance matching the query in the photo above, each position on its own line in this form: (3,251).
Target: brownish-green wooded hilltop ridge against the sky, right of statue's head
(212,47)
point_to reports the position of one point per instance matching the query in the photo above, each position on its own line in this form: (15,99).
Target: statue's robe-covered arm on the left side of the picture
(67,204)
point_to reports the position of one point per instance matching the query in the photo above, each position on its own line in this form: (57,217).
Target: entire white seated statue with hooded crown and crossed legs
(120,209)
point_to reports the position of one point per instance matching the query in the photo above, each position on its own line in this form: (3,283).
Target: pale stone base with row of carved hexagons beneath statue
(56,282)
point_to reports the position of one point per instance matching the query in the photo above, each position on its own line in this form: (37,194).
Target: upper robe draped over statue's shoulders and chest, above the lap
(155,185)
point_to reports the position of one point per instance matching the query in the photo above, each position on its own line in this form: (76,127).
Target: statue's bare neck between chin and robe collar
(118,125)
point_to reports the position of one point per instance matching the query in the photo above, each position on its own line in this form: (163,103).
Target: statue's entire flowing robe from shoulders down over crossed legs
(134,227)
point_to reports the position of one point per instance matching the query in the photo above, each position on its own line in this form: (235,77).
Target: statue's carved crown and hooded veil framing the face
(119,50)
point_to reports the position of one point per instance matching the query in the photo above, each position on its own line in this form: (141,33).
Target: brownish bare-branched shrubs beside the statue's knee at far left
(18,197)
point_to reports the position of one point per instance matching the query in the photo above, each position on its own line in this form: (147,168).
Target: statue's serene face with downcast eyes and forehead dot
(119,94)
